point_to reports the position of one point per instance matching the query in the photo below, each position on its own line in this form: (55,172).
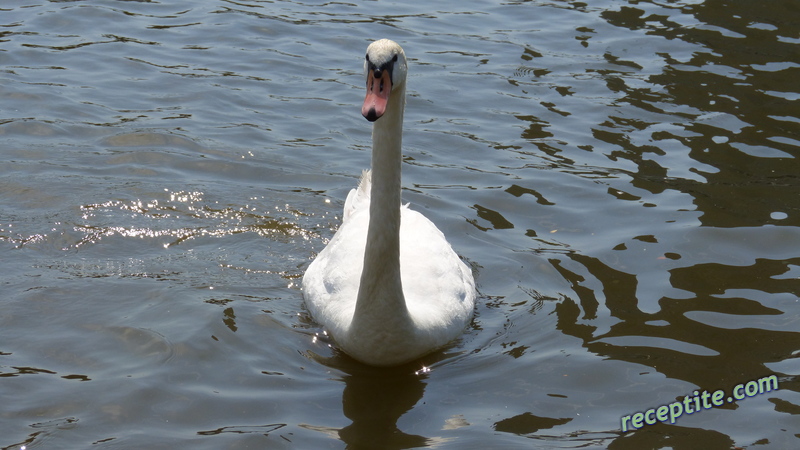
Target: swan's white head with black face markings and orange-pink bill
(385,69)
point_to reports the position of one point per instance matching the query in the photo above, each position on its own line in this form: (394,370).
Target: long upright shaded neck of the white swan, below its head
(380,301)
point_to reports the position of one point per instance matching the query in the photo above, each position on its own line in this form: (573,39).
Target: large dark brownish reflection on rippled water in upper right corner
(740,99)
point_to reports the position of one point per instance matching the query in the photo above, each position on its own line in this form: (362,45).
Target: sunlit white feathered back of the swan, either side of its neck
(438,287)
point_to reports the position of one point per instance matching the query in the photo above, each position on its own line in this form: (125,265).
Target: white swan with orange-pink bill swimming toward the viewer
(388,287)
